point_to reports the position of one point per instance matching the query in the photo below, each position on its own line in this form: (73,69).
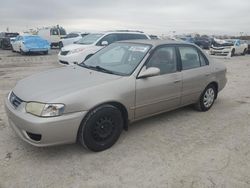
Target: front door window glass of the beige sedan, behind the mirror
(164,58)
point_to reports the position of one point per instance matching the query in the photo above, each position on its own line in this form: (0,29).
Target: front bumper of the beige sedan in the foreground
(53,131)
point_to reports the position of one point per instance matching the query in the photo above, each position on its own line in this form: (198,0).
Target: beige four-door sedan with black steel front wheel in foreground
(91,103)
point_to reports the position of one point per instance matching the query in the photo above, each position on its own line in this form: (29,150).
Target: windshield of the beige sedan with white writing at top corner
(117,58)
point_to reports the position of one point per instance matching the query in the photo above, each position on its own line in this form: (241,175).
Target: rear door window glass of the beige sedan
(189,57)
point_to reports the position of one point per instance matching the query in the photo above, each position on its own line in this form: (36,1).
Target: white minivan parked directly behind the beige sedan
(90,44)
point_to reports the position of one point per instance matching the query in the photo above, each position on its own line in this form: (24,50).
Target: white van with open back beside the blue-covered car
(52,34)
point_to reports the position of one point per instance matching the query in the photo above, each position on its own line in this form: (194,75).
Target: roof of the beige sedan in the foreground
(156,42)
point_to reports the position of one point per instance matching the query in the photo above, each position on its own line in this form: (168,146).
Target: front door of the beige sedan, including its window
(162,92)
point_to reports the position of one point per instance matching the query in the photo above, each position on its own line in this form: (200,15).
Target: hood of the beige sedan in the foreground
(50,85)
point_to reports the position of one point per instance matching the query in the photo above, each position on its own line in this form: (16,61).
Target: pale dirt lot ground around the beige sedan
(183,148)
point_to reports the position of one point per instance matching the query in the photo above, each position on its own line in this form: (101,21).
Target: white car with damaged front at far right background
(228,47)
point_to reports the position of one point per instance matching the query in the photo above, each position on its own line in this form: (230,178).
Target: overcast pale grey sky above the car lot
(151,16)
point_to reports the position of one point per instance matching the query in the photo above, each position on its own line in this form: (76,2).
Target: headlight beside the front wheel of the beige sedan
(44,110)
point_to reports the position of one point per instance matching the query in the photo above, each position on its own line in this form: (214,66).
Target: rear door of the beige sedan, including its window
(195,73)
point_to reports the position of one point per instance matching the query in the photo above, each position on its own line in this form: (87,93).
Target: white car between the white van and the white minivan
(71,38)
